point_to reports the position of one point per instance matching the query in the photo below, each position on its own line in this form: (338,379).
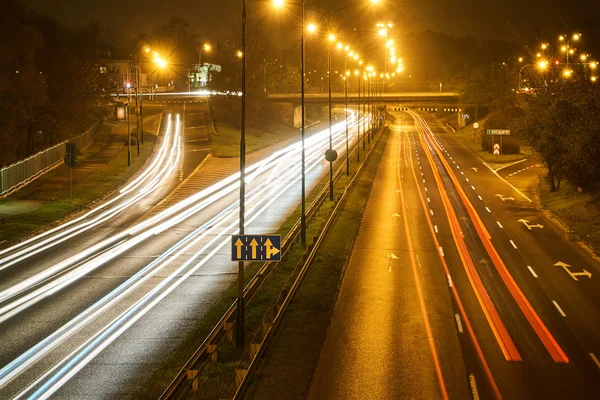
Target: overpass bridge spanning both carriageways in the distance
(289,104)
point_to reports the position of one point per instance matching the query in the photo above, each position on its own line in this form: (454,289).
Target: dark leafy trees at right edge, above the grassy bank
(561,122)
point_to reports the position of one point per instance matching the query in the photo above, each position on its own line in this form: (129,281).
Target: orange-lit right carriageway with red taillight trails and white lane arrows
(510,323)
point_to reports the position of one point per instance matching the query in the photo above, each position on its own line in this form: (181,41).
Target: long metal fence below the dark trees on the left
(20,173)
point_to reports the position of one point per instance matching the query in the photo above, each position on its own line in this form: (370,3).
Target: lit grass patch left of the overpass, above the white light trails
(227,143)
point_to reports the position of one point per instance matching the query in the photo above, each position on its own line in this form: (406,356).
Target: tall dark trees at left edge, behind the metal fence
(50,83)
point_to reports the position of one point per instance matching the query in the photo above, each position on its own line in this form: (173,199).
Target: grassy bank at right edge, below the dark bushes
(580,211)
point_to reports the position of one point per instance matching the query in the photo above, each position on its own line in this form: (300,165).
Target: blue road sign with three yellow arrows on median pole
(255,248)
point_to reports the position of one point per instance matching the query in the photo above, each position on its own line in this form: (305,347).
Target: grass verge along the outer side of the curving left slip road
(57,203)
